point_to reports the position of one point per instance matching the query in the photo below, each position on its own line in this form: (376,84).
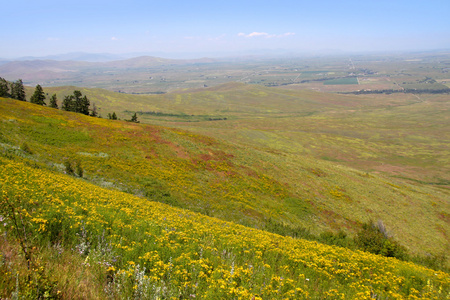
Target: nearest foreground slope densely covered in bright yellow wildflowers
(142,249)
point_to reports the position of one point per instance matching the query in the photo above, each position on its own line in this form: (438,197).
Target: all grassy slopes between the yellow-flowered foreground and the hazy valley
(339,173)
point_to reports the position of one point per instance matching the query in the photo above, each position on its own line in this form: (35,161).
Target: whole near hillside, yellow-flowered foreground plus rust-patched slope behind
(94,208)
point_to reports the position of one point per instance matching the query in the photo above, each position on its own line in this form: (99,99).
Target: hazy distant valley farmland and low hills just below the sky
(151,75)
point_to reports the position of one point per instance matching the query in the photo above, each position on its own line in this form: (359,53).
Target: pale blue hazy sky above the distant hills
(48,27)
